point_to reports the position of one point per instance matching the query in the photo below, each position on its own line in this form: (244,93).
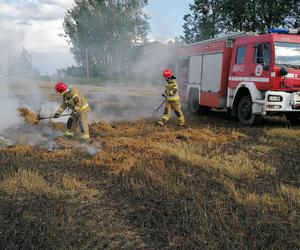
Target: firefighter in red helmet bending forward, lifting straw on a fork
(75,101)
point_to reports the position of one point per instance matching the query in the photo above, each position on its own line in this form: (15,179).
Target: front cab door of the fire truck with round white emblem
(260,68)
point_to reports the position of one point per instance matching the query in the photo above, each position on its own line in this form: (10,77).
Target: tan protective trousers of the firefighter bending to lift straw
(80,119)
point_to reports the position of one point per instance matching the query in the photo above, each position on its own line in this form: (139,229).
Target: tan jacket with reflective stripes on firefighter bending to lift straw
(73,100)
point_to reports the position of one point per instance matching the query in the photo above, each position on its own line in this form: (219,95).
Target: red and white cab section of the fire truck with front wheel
(263,78)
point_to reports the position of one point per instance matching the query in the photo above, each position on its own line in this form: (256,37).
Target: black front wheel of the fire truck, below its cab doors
(244,112)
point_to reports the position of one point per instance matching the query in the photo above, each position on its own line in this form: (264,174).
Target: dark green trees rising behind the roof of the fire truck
(209,18)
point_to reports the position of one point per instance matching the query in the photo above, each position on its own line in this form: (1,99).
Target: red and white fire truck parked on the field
(248,74)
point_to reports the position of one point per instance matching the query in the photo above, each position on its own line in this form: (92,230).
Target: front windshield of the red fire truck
(287,54)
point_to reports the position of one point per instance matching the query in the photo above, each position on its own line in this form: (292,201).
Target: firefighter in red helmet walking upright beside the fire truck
(173,100)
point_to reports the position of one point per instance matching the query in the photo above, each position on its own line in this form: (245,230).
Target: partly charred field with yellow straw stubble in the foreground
(211,185)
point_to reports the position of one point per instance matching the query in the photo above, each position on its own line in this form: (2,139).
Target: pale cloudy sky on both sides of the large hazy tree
(36,25)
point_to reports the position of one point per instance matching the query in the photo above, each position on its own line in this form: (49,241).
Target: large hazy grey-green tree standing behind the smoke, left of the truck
(106,30)
